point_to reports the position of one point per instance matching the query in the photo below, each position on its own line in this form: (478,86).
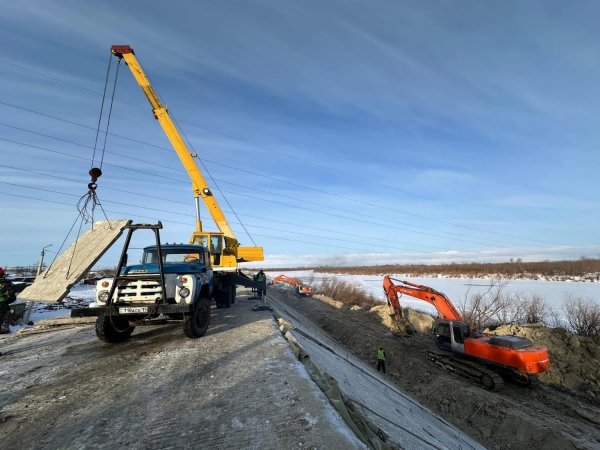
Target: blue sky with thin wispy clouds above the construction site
(412,132)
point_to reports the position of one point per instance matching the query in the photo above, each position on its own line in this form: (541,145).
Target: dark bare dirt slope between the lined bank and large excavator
(514,418)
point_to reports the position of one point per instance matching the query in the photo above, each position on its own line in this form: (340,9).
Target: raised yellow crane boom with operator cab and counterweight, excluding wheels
(227,254)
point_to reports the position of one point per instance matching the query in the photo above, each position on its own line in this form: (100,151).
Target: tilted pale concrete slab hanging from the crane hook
(68,269)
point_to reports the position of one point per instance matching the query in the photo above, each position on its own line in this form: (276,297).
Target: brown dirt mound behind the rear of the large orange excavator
(574,360)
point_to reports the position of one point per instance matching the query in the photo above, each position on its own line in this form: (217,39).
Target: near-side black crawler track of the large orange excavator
(468,370)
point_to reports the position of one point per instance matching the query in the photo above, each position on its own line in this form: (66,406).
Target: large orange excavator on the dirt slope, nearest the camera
(474,356)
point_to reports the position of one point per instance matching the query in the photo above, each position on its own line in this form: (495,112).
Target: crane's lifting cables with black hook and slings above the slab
(85,214)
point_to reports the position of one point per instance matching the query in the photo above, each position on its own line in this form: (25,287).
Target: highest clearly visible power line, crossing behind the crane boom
(387,208)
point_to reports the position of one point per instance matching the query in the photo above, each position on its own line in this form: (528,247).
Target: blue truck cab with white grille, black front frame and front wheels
(171,283)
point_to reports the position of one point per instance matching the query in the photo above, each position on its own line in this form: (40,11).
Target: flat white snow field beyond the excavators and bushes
(457,288)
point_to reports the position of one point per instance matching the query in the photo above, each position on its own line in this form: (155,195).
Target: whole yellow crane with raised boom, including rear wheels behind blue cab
(226,252)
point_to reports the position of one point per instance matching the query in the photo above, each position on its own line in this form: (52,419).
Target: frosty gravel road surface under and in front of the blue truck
(238,387)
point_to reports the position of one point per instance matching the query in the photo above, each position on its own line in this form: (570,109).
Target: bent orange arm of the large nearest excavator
(439,300)
